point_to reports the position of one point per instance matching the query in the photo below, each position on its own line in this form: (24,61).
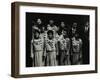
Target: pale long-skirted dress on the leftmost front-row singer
(38,46)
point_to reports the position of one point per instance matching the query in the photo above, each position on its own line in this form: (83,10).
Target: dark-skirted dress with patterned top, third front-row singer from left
(64,48)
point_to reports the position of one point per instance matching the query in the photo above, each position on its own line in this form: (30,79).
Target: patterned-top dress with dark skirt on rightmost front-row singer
(76,51)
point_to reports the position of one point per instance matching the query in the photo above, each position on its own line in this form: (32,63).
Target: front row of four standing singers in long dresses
(48,50)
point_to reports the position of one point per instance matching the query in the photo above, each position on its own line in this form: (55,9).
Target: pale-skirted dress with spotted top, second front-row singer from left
(51,52)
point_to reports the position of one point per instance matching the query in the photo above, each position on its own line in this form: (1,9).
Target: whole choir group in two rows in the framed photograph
(54,45)
